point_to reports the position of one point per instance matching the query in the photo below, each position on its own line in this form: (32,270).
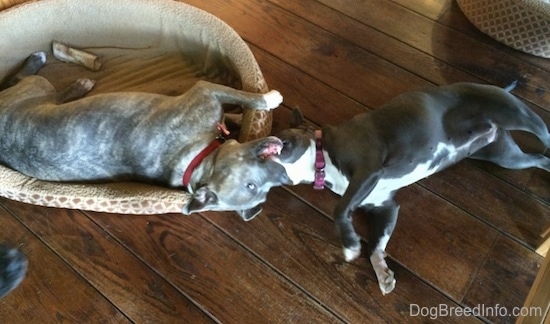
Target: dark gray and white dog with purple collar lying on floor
(368,158)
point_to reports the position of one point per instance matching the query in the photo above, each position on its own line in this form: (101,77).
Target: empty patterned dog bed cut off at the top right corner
(520,24)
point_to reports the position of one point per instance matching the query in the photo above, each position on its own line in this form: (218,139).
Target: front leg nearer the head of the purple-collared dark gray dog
(355,194)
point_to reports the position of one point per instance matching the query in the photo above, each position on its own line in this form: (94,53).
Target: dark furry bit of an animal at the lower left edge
(13,267)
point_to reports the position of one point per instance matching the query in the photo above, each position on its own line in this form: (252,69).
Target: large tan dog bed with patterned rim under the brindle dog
(160,46)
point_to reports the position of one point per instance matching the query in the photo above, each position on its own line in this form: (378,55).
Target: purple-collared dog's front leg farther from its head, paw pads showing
(382,222)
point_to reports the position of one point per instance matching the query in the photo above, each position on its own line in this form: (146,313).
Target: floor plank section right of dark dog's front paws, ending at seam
(432,231)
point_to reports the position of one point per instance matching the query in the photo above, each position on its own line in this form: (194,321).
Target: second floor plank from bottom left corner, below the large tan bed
(117,274)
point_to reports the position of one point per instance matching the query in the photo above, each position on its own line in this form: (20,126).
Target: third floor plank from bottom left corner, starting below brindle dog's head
(212,269)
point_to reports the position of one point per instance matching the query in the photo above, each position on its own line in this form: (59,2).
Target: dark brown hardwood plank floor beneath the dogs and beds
(465,237)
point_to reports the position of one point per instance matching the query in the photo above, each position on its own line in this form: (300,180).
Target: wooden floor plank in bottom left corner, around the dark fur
(52,291)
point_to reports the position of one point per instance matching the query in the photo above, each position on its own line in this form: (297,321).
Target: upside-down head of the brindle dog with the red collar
(240,178)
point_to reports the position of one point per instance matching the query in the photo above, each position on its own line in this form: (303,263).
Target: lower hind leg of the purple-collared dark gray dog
(505,152)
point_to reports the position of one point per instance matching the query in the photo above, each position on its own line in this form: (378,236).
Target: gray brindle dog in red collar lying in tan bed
(138,136)
